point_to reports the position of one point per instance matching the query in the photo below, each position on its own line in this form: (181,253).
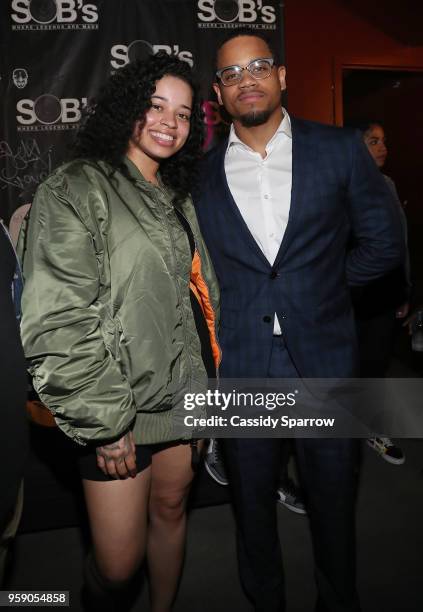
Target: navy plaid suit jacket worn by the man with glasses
(337,192)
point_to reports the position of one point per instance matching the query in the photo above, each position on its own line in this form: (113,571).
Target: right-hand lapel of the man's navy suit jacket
(303,158)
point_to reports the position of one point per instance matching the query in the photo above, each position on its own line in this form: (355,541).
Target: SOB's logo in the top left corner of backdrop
(54,15)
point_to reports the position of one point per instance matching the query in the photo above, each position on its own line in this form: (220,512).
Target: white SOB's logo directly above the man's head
(235,13)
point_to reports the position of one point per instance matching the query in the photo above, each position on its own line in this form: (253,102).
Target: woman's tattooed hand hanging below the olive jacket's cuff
(118,459)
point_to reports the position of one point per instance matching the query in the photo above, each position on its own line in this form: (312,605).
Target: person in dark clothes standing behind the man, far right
(379,304)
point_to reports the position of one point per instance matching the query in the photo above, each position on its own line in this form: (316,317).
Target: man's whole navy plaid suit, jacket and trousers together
(337,191)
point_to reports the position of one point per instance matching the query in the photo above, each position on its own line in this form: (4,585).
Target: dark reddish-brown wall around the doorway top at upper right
(317,34)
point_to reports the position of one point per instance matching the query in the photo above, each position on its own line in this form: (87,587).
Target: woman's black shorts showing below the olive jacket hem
(87,459)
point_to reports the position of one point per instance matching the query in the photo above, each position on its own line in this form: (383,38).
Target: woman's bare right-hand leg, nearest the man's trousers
(170,481)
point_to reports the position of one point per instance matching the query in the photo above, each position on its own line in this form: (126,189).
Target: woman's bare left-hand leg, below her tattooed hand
(117,512)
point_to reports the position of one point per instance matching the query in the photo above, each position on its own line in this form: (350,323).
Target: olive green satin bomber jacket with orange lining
(107,322)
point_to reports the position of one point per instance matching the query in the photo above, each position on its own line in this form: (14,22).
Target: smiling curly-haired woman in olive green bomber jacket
(119,317)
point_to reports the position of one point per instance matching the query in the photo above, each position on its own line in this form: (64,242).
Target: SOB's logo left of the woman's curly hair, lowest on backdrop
(48,113)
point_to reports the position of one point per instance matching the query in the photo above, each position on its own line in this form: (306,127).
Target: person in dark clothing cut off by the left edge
(13,387)
